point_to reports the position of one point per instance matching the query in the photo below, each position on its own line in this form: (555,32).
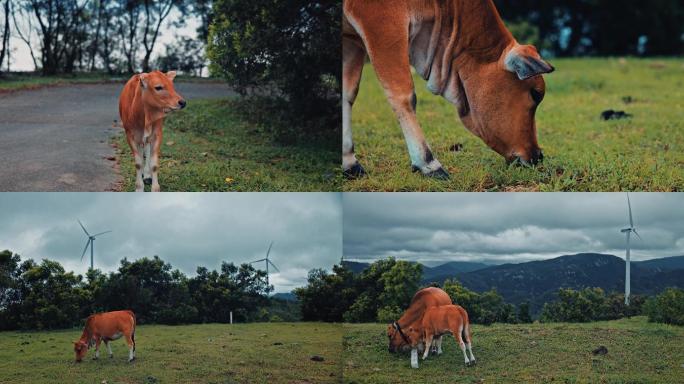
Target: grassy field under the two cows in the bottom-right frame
(638,352)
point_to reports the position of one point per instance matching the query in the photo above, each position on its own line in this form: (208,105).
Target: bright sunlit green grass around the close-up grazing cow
(583,153)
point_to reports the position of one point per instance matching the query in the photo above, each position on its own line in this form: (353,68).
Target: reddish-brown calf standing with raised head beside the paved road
(144,101)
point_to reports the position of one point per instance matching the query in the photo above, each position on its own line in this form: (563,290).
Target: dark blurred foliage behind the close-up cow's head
(628,27)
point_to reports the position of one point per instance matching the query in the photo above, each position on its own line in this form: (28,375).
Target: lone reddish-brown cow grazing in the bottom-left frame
(106,327)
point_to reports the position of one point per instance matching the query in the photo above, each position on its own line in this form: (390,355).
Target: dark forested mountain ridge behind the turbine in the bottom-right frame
(538,281)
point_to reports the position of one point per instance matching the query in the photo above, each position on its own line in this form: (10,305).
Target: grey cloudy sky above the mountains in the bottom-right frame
(436,227)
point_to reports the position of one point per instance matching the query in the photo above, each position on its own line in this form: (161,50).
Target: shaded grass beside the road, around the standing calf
(210,147)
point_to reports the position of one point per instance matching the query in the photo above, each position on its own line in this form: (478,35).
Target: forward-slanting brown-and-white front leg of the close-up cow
(387,45)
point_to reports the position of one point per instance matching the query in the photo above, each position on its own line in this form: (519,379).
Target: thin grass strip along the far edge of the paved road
(17,80)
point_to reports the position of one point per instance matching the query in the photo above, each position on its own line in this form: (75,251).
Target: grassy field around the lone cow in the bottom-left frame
(210,353)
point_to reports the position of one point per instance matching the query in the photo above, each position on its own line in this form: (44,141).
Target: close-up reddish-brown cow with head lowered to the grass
(466,54)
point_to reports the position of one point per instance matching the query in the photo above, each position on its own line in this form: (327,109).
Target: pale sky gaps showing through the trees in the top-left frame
(21,57)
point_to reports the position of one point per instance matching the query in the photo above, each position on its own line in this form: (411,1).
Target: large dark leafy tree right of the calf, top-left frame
(288,50)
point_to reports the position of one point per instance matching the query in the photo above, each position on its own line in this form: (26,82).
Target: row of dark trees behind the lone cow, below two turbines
(45,296)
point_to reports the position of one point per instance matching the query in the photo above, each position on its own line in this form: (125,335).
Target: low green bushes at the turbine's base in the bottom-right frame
(589,304)
